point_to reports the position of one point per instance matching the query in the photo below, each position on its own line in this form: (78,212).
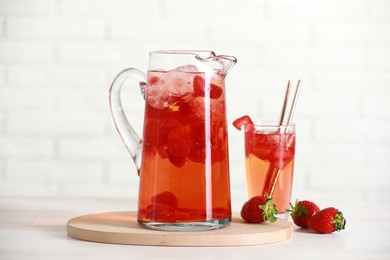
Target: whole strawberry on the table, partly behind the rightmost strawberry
(302,211)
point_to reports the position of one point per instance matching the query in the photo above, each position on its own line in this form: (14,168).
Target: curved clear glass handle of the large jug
(130,138)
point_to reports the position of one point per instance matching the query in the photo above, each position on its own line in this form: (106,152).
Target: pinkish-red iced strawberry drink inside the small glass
(269,165)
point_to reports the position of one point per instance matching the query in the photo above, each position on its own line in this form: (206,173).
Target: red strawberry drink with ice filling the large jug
(185,168)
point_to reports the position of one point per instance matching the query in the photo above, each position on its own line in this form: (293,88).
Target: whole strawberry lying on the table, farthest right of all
(327,221)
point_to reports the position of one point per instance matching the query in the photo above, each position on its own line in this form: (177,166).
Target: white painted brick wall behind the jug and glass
(58,58)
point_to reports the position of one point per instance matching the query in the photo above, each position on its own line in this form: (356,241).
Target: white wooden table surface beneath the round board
(35,228)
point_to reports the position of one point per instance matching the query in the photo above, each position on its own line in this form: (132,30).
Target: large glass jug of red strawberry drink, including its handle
(182,159)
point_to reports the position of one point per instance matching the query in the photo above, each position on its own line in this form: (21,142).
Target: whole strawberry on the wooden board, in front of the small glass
(259,209)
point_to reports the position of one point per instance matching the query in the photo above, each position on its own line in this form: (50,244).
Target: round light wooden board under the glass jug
(123,228)
